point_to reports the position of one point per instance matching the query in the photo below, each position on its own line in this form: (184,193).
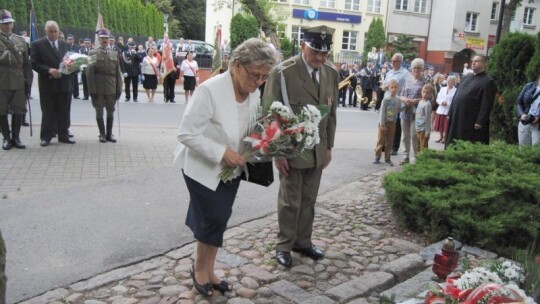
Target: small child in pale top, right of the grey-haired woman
(423,117)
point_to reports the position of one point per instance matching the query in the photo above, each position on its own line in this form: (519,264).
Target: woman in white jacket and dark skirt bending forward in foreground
(210,135)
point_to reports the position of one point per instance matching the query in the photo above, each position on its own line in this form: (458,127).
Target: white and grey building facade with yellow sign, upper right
(450,32)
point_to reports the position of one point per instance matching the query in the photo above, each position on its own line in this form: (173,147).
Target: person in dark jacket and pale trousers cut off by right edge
(528,111)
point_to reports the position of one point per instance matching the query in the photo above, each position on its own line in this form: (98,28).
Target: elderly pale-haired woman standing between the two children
(410,95)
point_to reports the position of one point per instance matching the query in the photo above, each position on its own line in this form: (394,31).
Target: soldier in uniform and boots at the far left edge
(15,81)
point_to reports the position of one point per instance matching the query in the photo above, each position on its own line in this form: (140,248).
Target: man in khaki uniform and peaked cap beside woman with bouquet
(299,81)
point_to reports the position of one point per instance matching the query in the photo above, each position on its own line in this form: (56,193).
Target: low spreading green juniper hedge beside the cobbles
(486,196)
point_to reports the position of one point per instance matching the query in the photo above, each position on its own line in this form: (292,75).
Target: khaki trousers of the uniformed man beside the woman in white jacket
(296,207)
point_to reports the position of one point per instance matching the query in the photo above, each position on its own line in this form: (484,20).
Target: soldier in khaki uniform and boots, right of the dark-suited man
(104,83)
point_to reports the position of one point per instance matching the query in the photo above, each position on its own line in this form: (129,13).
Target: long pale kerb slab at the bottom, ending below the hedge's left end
(364,285)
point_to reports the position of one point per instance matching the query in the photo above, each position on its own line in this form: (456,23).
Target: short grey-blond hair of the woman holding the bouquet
(254,51)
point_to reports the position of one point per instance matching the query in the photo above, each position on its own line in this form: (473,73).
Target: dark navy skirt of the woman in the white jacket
(209,211)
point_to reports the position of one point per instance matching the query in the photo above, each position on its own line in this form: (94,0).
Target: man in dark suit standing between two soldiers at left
(54,88)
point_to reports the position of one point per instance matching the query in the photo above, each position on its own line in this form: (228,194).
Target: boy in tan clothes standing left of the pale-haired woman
(387,123)
